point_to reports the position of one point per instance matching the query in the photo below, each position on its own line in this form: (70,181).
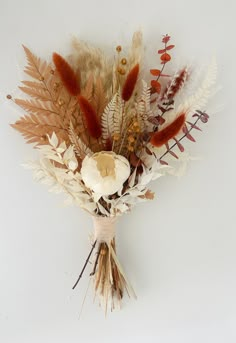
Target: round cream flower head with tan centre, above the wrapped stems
(105,172)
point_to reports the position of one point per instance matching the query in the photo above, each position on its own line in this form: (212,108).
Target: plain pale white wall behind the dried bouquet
(179,250)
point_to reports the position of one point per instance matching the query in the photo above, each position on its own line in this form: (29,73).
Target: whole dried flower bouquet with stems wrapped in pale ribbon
(104,133)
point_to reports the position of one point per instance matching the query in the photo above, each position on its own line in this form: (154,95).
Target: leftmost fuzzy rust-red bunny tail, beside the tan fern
(67,74)
